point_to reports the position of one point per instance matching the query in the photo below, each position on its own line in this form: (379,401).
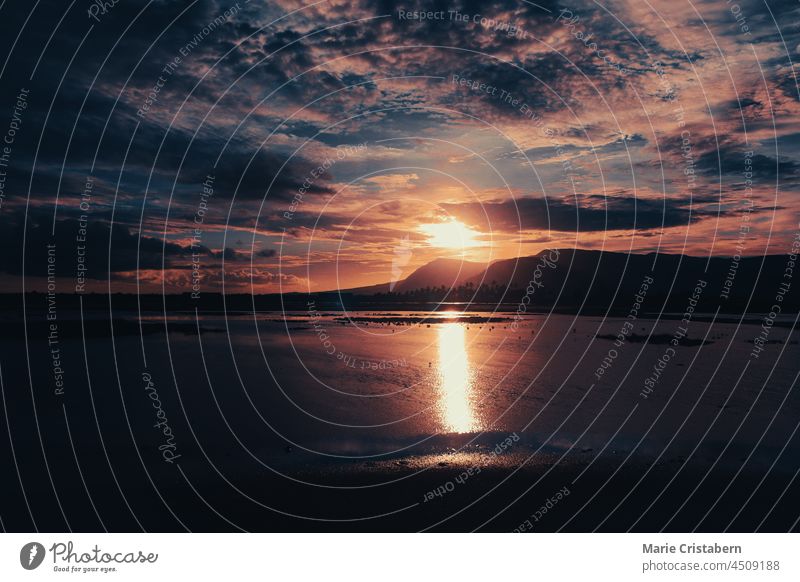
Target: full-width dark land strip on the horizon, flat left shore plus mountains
(565,280)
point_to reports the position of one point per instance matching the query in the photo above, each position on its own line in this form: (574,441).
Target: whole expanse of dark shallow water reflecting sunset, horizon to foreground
(308,405)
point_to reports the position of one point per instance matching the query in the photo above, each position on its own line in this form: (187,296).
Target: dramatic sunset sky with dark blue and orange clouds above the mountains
(618,125)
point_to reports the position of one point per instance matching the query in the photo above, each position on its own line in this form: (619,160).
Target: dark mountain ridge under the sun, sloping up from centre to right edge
(575,279)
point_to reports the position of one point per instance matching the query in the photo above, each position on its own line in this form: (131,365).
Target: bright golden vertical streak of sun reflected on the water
(457,379)
